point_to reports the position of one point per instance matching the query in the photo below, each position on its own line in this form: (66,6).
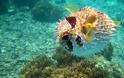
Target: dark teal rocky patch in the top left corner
(8,6)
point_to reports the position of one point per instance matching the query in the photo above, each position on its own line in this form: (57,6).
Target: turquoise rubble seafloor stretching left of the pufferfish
(21,39)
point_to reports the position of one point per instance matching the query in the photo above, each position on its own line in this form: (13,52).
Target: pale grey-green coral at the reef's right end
(114,70)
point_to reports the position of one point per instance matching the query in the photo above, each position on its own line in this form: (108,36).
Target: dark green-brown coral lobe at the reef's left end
(35,67)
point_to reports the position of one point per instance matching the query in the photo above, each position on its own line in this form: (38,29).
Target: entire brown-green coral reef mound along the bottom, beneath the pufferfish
(95,67)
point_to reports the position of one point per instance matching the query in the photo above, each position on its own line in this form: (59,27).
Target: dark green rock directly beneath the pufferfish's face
(63,57)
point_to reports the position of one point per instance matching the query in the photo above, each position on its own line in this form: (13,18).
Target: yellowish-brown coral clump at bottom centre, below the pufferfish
(83,69)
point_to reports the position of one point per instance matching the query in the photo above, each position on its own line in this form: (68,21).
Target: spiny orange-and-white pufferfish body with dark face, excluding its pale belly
(86,25)
